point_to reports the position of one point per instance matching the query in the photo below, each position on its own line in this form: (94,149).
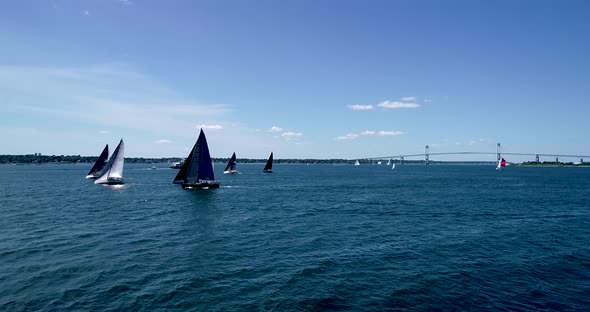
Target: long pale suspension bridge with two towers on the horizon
(498,153)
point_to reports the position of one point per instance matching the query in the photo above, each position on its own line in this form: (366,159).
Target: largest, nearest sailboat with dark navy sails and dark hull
(197,171)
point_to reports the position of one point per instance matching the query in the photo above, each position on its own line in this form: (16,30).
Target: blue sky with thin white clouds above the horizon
(305,79)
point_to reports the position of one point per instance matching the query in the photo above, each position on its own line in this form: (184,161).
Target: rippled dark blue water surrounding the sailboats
(307,238)
